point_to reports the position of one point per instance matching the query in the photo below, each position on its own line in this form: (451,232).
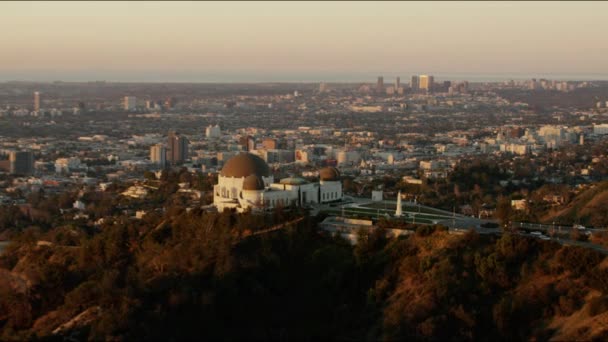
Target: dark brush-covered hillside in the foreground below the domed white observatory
(190,277)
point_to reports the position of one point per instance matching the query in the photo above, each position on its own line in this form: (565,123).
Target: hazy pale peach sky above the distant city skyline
(300,41)
